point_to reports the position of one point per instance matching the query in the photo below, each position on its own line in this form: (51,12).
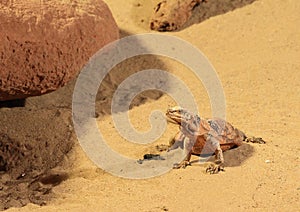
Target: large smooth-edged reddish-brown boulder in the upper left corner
(44,44)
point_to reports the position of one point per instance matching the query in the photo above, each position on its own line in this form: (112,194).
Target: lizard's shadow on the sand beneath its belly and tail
(234,157)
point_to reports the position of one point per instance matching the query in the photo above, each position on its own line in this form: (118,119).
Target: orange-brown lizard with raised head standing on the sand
(205,136)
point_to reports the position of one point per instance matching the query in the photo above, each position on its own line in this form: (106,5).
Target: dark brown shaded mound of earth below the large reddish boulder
(31,143)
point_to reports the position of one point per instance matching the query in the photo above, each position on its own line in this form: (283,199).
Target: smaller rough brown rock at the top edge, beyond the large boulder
(170,15)
